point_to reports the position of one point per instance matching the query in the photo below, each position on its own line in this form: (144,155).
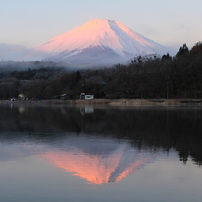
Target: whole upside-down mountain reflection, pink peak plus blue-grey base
(98,160)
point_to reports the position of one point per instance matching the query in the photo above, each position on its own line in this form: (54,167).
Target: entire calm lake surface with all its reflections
(90,154)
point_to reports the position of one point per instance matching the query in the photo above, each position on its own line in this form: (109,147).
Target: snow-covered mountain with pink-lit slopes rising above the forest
(99,41)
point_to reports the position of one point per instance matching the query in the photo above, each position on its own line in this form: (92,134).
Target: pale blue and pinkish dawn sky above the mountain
(33,22)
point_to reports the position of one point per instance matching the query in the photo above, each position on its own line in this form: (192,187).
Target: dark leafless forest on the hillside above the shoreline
(149,77)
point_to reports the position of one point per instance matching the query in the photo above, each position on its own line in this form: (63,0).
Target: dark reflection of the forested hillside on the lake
(165,128)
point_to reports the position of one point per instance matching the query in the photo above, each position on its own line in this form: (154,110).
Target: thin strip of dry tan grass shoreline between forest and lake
(112,102)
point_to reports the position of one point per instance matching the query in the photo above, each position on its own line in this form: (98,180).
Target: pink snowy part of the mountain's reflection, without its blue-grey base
(99,169)
